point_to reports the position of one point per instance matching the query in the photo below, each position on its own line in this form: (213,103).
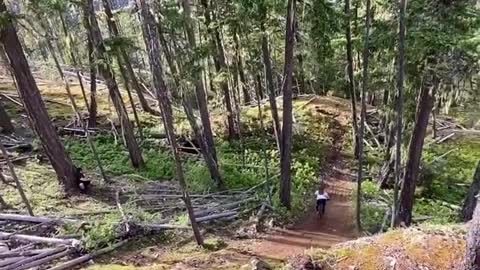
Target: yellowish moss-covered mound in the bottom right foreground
(434,248)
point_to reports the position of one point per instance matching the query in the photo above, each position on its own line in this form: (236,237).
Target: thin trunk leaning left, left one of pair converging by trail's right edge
(351,81)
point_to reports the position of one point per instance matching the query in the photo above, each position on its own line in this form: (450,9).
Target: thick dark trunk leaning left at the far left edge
(35,108)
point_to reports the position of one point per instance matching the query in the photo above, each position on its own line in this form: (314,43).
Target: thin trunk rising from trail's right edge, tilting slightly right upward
(366,55)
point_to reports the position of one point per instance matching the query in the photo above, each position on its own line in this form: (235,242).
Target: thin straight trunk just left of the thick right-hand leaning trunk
(400,101)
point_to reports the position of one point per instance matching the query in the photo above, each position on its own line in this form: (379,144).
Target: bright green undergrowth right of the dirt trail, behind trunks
(442,187)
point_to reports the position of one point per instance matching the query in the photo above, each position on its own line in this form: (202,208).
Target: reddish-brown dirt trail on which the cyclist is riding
(336,226)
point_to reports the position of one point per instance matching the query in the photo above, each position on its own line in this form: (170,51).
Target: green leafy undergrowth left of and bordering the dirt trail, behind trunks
(241,166)
